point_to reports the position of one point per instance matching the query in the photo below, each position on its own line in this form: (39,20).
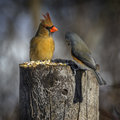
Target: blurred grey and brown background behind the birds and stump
(96,21)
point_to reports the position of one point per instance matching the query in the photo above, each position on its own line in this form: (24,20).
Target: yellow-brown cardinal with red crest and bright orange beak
(42,44)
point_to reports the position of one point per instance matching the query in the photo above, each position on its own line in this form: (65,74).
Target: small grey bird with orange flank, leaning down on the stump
(82,55)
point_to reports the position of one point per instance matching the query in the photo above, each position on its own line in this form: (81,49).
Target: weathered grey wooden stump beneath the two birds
(47,92)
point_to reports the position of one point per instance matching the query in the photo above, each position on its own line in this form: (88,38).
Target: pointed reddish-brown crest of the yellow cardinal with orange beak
(47,20)
